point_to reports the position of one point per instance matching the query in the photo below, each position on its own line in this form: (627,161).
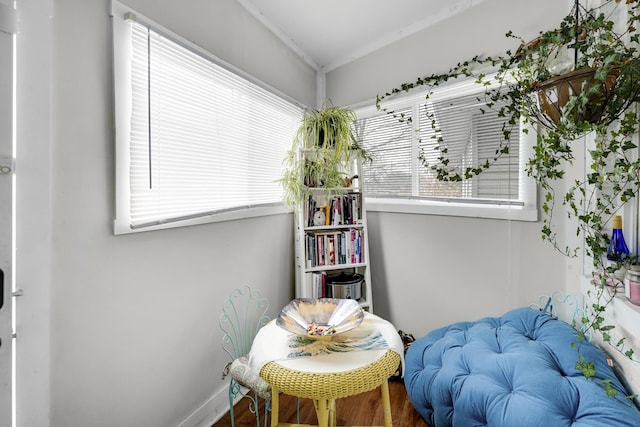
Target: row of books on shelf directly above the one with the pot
(337,247)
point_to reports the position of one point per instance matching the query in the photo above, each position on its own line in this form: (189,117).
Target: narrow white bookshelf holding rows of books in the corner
(331,239)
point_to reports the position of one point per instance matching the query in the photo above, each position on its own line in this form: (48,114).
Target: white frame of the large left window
(122,105)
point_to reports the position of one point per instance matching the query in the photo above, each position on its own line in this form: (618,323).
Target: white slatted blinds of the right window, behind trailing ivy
(400,148)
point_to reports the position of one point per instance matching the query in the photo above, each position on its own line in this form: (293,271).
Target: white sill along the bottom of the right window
(430,207)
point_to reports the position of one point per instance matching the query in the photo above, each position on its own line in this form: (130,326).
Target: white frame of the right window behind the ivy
(526,207)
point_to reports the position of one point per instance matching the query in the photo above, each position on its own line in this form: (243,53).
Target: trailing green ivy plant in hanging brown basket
(581,78)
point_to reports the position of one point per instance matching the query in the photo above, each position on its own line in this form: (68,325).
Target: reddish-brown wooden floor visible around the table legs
(361,410)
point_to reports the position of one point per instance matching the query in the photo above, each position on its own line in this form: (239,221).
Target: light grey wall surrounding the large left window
(134,319)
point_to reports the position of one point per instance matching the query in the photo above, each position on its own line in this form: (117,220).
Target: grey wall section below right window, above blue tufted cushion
(429,271)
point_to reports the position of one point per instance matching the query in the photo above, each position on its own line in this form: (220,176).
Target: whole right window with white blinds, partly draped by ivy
(399,178)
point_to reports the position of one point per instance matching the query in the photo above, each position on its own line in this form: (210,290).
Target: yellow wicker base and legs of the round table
(325,388)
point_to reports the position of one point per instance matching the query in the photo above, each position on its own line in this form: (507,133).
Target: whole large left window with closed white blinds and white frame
(195,141)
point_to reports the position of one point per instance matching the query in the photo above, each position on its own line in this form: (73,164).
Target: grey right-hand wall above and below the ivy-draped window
(428,271)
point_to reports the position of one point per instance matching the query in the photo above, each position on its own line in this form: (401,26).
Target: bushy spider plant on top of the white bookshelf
(323,145)
